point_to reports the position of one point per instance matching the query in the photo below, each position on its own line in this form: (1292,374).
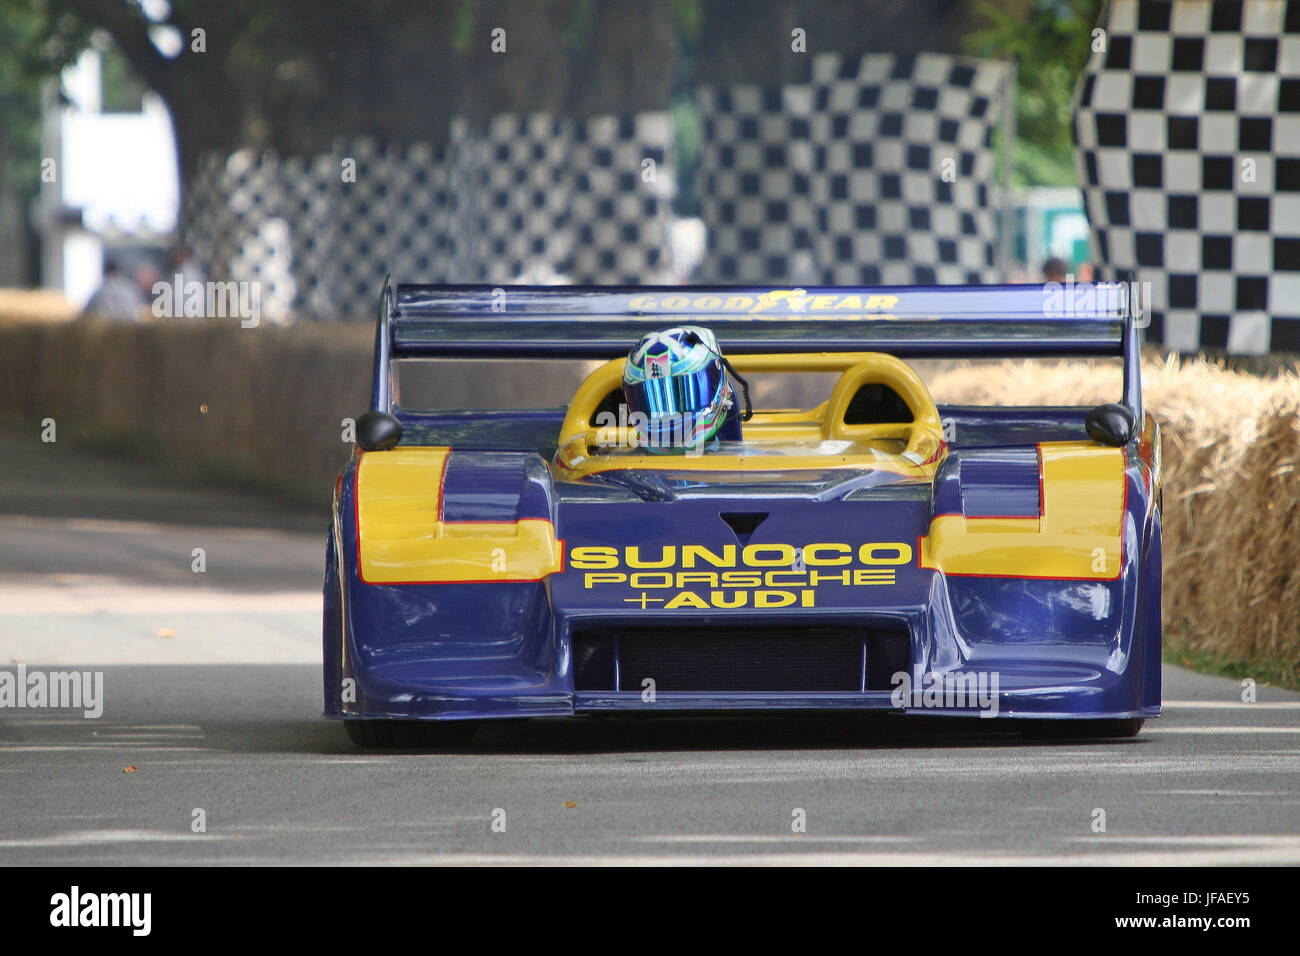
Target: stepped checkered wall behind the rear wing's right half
(879,171)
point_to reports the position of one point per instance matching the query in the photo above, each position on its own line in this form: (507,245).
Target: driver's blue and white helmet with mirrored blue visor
(677,388)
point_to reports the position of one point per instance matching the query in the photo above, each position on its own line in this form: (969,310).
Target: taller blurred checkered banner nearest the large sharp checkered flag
(905,168)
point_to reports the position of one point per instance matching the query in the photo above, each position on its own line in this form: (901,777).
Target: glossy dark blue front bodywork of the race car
(506,650)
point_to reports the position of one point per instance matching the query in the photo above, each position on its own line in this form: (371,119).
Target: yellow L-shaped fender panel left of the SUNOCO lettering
(404,540)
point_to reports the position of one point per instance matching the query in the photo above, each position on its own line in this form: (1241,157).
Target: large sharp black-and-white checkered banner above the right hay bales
(1189,150)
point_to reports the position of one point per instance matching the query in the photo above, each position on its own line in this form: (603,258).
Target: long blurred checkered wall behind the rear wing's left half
(521,198)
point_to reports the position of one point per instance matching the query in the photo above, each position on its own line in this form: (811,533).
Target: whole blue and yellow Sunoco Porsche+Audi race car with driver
(874,552)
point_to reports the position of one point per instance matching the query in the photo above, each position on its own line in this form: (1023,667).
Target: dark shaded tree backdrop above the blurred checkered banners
(297,75)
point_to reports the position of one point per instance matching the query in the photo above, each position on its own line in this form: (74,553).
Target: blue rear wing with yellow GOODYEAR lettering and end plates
(909,322)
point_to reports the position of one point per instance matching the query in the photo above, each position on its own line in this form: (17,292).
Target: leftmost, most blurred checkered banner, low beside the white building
(320,245)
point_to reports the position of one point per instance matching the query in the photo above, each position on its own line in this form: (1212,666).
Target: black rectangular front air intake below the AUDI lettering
(731,660)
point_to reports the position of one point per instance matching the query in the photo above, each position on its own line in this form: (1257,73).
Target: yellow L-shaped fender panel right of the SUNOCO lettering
(1078,535)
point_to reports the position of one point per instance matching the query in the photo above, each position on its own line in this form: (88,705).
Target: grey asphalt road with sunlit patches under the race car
(211,703)
